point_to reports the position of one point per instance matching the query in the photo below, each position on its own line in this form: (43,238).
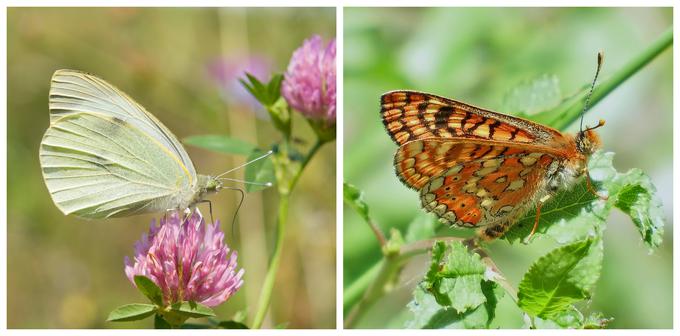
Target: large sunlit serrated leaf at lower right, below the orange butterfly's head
(562,277)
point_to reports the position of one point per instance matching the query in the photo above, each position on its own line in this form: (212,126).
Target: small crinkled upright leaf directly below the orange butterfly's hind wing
(455,277)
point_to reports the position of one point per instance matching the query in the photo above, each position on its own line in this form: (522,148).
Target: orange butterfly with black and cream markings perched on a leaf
(477,168)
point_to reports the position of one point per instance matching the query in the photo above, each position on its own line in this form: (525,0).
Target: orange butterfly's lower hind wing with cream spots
(473,184)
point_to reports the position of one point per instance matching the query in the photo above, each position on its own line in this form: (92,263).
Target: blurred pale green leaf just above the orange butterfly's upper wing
(531,97)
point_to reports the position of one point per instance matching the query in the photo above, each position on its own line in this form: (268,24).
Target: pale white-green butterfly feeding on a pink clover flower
(104,155)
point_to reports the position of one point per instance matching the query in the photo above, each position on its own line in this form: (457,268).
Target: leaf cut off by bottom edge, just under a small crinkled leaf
(428,314)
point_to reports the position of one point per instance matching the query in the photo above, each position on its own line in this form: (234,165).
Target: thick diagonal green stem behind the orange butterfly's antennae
(569,112)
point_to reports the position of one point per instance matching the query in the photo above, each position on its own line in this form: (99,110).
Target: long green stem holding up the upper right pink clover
(270,278)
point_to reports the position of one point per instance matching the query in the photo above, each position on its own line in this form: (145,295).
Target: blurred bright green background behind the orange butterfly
(477,56)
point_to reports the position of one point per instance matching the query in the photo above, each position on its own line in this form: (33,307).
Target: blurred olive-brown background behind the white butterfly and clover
(65,272)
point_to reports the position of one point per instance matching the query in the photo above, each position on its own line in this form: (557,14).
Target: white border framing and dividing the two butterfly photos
(339,4)
